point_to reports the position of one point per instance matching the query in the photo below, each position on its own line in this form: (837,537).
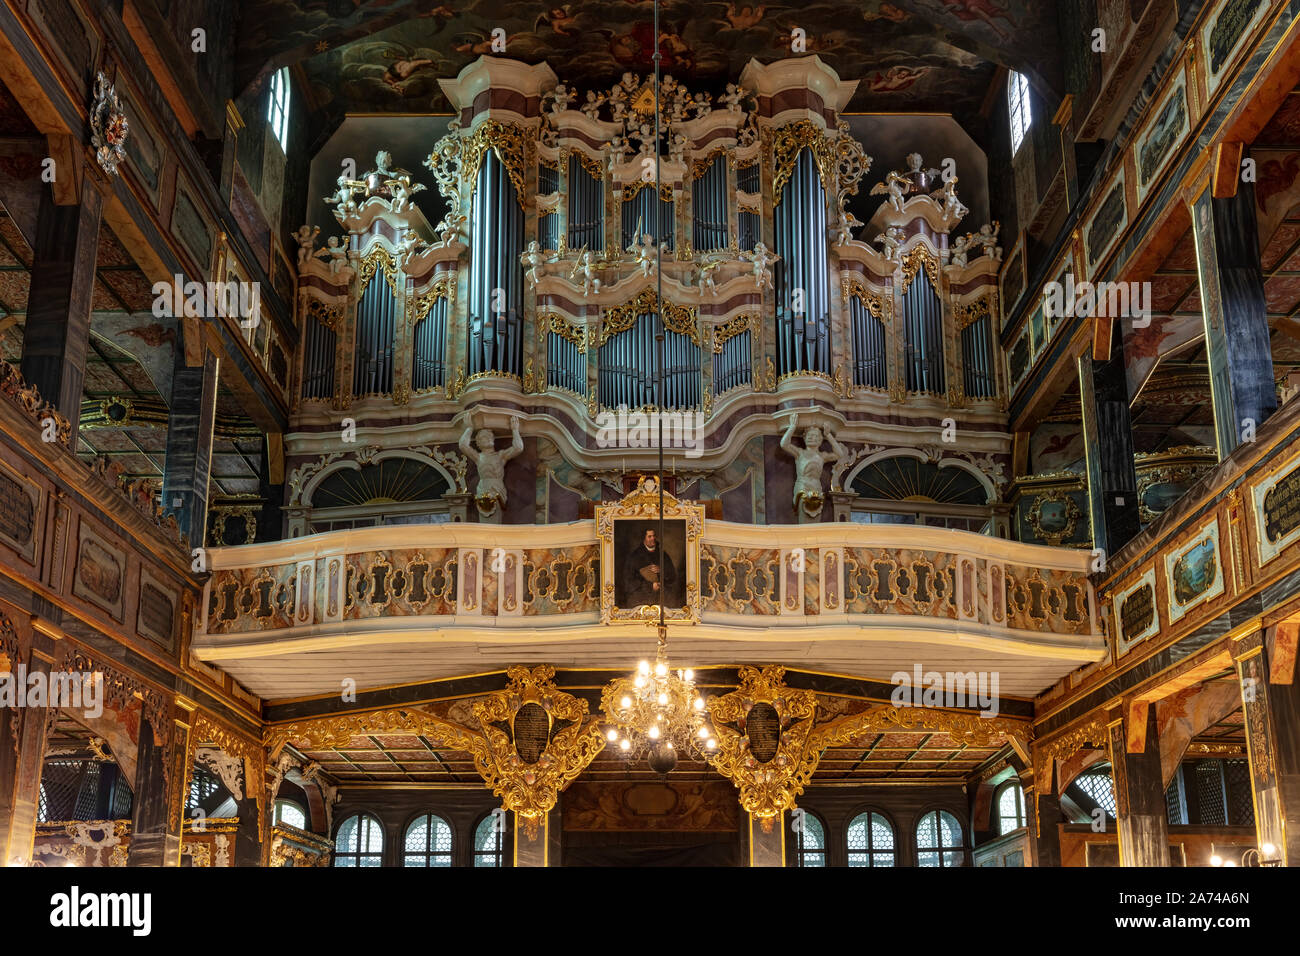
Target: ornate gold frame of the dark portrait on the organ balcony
(684,526)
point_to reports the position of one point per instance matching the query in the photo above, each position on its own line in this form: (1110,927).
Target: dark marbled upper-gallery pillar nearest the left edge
(63,276)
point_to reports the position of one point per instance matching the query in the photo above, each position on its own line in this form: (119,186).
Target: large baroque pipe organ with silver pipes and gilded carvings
(539,291)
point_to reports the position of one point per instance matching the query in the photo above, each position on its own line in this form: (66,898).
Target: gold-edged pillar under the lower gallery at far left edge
(21,763)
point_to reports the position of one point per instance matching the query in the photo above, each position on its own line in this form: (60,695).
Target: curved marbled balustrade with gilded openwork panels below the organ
(799,574)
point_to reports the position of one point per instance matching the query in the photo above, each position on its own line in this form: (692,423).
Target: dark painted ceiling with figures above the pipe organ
(909,55)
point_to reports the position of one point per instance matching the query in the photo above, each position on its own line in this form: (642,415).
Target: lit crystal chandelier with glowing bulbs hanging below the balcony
(658,713)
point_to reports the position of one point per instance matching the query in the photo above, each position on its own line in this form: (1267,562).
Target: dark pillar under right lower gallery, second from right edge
(1143,821)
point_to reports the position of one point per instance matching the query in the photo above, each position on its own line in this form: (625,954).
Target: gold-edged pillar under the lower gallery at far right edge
(1272,715)
